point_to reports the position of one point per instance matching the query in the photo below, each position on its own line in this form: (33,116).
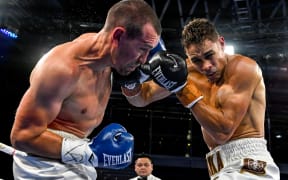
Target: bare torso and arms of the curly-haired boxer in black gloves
(232,108)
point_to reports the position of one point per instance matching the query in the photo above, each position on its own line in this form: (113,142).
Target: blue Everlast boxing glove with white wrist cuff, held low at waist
(112,148)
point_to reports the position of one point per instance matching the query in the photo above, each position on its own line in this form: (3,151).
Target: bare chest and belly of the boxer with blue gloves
(82,111)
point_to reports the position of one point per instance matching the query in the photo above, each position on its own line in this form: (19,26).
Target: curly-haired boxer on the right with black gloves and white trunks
(226,95)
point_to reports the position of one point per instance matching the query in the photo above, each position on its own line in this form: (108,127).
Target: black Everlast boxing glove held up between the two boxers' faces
(168,70)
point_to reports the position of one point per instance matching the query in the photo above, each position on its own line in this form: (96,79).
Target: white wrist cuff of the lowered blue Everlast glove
(77,151)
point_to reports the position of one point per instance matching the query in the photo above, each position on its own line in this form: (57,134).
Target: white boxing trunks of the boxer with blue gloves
(35,168)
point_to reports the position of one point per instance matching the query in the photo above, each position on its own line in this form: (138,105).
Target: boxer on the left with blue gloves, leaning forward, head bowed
(69,90)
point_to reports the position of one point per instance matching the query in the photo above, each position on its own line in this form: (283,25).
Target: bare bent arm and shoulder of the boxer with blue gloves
(50,84)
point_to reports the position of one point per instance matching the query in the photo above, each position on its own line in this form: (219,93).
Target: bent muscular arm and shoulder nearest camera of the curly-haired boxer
(219,121)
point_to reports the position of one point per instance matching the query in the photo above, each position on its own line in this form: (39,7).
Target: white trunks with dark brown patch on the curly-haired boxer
(241,159)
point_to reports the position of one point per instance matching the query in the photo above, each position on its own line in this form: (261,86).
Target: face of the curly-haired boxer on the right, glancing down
(208,58)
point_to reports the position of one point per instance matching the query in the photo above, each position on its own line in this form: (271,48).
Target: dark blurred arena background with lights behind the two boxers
(256,28)
